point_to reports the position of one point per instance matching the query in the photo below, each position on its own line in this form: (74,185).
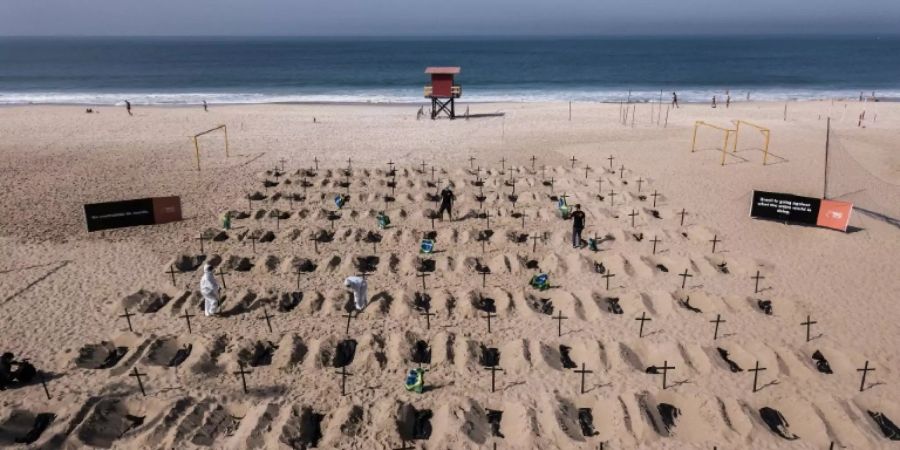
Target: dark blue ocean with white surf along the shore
(262,70)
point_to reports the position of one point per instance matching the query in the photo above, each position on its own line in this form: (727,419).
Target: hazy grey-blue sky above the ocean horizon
(444,18)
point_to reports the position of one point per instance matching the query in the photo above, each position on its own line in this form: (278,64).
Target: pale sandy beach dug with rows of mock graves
(63,290)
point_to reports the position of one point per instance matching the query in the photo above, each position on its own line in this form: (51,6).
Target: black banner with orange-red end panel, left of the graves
(130,213)
